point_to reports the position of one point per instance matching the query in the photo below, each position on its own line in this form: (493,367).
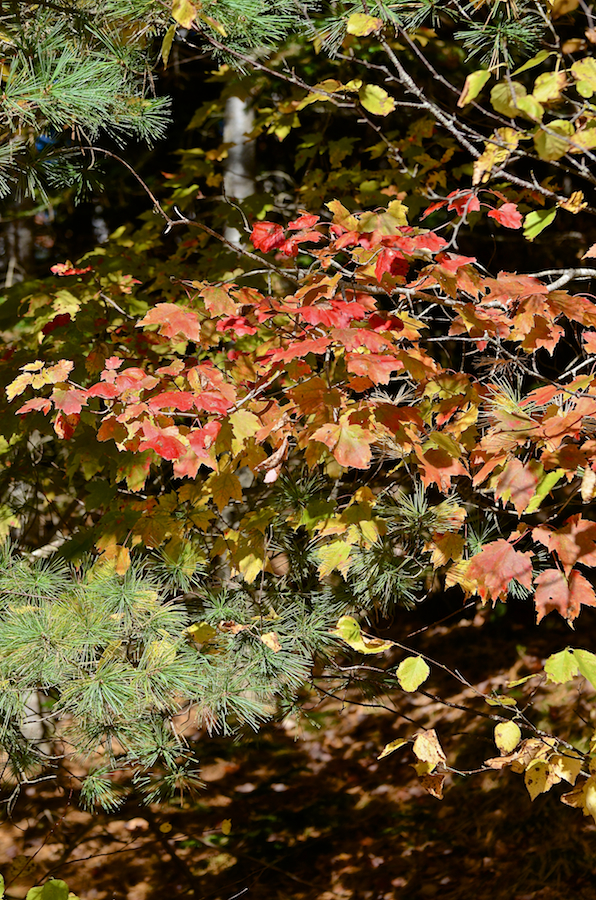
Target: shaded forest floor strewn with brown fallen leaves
(316,816)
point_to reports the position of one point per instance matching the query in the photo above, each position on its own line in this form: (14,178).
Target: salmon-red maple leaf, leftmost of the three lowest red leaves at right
(495,566)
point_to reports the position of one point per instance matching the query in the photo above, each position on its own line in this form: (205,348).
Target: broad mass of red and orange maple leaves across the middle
(303,372)
